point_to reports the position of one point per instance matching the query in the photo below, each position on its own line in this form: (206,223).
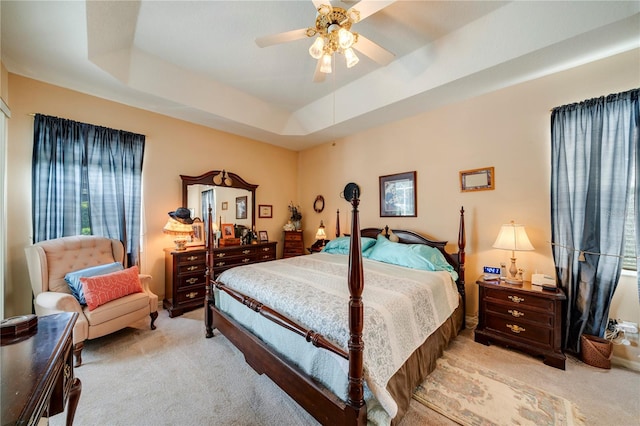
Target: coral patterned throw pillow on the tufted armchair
(101,289)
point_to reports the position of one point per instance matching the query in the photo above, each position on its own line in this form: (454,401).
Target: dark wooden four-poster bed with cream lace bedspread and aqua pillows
(371,345)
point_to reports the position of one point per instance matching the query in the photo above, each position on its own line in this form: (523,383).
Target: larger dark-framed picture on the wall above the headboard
(398,195)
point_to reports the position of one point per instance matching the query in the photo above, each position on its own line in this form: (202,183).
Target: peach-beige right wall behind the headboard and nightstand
(508,129)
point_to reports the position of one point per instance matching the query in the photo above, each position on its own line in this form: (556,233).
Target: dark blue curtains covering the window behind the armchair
(87,180)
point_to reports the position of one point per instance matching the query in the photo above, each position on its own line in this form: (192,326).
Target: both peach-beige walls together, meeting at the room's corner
(507,129)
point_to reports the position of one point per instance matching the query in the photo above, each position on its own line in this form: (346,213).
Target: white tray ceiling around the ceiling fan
(198,60)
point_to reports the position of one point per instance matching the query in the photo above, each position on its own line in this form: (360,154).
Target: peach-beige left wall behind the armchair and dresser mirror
(173,147)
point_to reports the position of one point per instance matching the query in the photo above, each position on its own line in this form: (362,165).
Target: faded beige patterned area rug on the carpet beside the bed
(472,395)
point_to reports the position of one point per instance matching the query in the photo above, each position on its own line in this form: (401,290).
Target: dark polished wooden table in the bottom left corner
(37,372)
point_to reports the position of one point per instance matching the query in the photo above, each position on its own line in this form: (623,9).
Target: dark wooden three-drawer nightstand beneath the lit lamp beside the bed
(523,317)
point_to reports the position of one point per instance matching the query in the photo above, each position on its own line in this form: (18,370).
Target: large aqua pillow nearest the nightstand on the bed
(416,256)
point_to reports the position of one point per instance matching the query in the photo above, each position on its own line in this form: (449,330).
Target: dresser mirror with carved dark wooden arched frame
(231,198)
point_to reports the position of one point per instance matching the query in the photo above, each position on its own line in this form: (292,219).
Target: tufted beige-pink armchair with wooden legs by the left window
(49,262)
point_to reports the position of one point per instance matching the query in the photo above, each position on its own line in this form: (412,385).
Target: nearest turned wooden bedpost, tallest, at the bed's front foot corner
(356,313)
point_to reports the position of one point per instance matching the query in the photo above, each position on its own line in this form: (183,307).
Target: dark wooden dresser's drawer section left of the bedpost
(184,279)
